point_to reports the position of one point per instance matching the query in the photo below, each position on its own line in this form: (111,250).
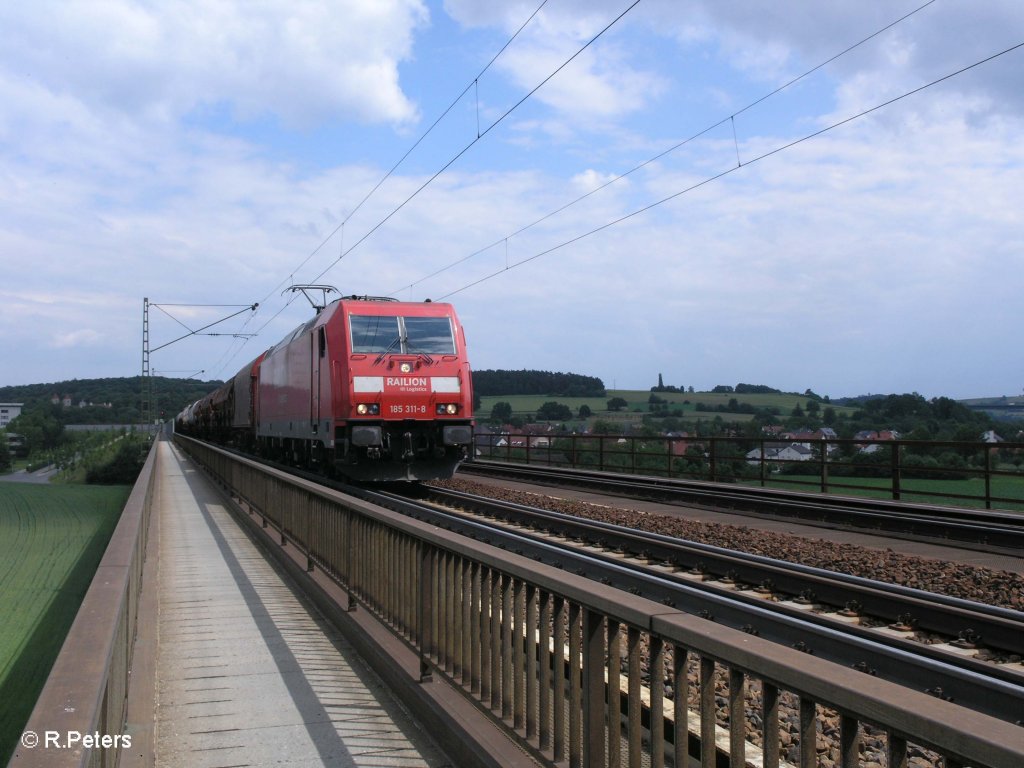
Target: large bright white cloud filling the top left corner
(298,61)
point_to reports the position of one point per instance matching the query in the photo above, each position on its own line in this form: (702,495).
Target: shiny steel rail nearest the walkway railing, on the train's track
(946,678)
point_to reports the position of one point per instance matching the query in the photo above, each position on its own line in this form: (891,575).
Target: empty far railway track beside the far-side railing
(989,531)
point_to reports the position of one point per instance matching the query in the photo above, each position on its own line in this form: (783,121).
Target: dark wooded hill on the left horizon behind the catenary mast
(115,401)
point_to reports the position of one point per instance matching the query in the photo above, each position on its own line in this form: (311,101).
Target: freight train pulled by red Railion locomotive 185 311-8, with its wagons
(371,389)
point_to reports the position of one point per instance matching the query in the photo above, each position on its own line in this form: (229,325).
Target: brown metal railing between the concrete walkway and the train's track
(584,674)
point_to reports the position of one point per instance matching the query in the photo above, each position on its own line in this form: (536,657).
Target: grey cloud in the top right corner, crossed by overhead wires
(787,39)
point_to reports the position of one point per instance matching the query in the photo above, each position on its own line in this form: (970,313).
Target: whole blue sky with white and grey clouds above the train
(623,209)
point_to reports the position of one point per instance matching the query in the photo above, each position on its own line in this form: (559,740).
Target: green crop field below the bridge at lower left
(52,541)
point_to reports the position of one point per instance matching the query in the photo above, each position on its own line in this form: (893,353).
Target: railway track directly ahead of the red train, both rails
(601,552)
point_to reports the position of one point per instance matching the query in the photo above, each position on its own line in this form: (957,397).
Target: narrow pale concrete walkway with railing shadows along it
(248,673)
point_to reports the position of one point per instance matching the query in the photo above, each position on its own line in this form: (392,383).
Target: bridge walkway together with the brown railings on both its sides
(245,617)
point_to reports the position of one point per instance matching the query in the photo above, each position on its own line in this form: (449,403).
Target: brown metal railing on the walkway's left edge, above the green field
(79,719)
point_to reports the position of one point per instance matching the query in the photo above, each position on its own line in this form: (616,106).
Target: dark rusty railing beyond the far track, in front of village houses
(962,474)
